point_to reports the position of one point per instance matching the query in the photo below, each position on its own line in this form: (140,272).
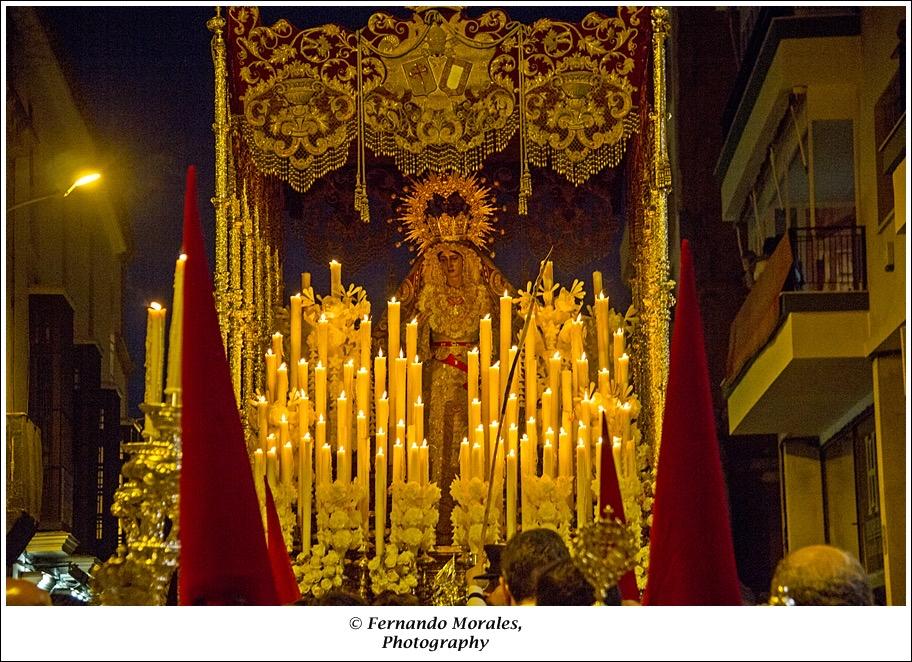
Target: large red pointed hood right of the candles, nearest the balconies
(692,559)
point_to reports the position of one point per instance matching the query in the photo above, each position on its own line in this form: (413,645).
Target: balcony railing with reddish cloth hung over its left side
(823,259)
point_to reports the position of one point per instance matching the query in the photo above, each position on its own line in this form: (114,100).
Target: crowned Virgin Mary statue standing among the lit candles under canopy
(451,287)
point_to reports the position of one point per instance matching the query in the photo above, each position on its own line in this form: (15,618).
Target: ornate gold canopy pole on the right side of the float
(657,287)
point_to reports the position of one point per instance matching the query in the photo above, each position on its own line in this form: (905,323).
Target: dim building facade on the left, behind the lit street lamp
(66,361)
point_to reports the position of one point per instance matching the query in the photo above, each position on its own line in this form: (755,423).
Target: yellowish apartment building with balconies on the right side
(813,177)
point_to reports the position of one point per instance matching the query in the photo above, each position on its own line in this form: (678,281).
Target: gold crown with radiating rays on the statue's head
(448,207)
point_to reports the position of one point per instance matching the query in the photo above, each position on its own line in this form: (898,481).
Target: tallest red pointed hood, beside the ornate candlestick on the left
(223,546)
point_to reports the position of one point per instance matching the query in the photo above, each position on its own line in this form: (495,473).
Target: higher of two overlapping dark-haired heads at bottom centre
(524,554)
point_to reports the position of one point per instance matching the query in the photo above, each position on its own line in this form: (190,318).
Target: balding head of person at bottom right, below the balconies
(820,575)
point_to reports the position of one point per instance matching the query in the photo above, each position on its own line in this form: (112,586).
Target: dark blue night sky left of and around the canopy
(143,78)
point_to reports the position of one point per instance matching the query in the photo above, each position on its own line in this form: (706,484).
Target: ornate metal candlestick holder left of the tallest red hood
(146,504)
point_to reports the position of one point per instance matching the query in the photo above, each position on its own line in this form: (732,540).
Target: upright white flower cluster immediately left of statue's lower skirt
(414,515)
